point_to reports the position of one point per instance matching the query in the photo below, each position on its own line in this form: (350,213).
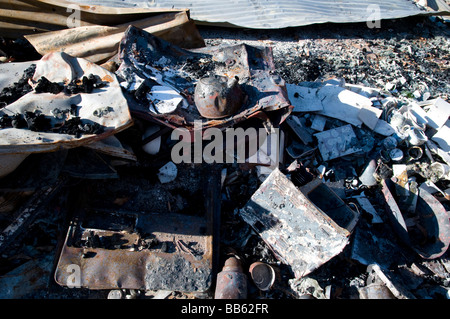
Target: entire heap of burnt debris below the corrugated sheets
(313,165)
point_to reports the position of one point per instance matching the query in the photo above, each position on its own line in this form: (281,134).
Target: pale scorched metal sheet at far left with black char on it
(62,68)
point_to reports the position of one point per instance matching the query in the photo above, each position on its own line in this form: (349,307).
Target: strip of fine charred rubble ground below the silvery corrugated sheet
(403,56)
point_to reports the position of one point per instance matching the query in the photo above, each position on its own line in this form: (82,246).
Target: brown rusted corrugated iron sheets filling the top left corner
(22,17)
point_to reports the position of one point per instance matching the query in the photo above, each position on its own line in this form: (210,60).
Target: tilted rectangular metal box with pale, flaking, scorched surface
(298,231)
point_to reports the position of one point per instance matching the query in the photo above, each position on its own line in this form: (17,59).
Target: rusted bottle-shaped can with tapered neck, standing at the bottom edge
(231,281)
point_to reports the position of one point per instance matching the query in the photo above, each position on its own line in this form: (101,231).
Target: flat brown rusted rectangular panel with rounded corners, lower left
(138,251)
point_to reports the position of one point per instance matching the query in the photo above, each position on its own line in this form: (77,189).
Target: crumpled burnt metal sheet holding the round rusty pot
(149,61)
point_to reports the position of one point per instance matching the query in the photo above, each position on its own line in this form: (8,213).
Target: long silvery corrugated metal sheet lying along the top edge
(273,14)
